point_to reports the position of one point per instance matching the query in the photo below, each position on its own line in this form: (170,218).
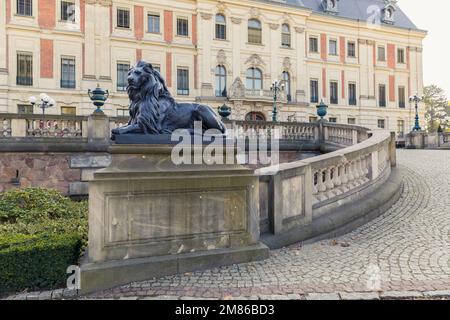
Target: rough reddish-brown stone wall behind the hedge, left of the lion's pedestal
(37,170)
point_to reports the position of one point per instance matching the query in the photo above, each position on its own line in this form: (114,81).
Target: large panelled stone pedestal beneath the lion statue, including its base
(149,218)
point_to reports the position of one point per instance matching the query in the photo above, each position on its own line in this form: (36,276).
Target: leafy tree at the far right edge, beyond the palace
(436,105)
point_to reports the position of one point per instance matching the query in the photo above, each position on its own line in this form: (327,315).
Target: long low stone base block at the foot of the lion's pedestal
(105,275)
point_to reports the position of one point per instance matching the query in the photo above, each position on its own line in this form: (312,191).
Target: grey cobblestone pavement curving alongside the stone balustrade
(404,253)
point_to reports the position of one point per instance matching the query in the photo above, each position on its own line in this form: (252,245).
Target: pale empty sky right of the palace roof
(433,16)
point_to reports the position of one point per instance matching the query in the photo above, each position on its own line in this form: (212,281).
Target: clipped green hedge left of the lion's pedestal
(41,234)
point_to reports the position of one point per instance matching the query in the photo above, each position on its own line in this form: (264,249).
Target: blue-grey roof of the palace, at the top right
(356,10)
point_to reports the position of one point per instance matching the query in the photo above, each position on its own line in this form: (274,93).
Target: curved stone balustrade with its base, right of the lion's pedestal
(332,193)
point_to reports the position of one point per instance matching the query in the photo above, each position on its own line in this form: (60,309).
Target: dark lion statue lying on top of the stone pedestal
(153,110)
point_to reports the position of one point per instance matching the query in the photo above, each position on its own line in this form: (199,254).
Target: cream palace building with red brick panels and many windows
(361,57)
